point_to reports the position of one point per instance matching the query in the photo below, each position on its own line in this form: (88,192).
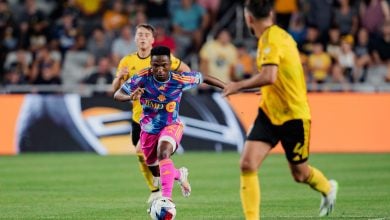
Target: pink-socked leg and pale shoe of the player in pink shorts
(170,136)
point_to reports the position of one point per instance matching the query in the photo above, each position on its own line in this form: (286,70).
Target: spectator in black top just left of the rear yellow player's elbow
(102,78)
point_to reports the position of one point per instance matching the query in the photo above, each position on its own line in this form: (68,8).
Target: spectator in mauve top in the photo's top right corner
(373,13)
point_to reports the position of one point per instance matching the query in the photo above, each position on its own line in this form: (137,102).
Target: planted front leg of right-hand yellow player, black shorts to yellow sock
(260,141)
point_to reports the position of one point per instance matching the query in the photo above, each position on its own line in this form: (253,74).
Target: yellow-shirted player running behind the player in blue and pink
(128,66)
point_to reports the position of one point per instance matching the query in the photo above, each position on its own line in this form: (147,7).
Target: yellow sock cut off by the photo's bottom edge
(250,195)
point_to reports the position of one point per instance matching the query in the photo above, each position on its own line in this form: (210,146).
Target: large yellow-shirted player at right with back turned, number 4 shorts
(284,113)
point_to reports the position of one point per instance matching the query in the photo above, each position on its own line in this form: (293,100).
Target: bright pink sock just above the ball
(167,176)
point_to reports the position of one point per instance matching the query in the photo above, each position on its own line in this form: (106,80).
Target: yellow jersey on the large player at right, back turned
(286,99)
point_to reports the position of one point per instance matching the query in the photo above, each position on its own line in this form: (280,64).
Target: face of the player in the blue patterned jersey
(161,65)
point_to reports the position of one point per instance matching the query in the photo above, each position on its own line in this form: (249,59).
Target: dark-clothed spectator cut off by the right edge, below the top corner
(381,51)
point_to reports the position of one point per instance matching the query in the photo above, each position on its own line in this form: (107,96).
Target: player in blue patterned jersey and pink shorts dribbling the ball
(159,90)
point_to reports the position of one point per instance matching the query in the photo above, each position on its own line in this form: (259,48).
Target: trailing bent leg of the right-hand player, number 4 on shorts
(295,141)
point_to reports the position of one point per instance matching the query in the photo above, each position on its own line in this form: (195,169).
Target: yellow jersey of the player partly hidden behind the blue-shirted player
(134,64)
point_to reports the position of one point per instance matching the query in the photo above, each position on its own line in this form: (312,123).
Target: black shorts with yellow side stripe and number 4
(294,136)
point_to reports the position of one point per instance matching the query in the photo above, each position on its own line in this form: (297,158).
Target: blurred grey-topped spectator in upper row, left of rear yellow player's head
(100,43)
